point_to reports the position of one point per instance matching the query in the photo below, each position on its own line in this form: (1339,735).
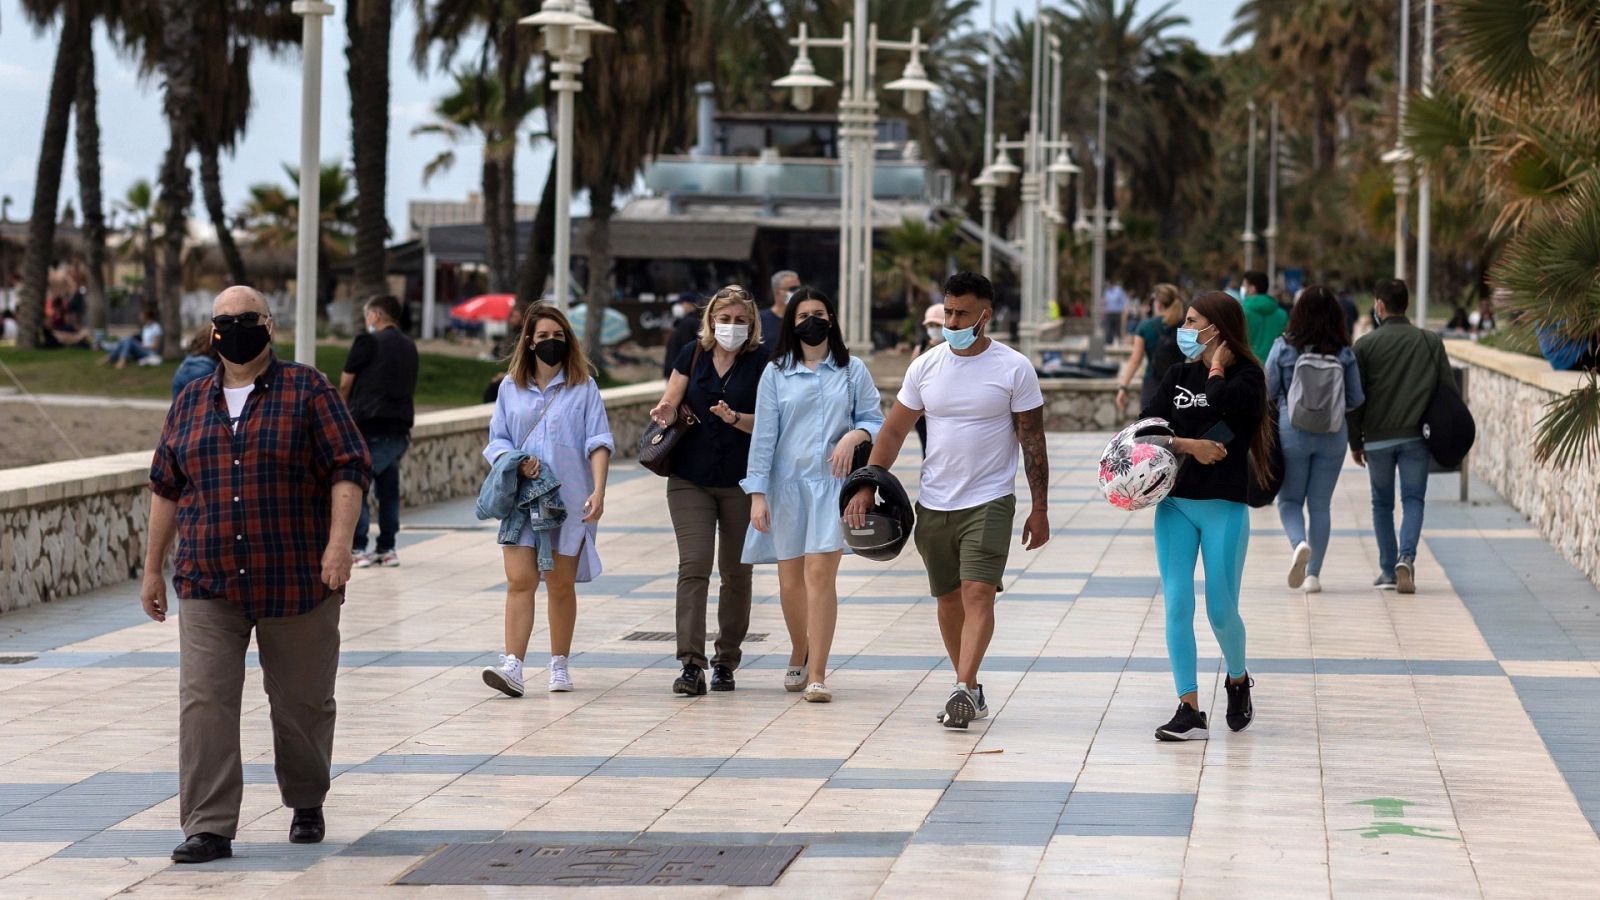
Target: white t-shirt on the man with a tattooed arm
(969,404)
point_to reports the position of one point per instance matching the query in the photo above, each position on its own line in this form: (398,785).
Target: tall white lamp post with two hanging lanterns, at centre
(858,131)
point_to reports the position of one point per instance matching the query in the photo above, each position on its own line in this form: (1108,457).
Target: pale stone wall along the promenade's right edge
(1508,395)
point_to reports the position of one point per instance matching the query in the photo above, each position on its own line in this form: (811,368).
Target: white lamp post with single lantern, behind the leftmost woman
(569,30)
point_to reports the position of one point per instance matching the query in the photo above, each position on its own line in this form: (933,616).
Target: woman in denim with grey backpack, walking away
(1314,382)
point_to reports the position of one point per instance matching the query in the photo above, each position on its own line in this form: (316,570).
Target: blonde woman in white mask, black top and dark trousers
(718,379)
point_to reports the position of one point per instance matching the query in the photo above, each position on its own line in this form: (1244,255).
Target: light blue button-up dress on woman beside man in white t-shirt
(799,419)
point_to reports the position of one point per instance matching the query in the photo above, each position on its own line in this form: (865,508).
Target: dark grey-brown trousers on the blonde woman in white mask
(698,516)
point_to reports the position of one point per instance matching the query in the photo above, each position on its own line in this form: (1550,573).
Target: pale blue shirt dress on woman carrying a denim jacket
(564,440)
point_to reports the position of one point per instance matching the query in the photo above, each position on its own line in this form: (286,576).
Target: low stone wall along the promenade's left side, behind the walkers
(71,528)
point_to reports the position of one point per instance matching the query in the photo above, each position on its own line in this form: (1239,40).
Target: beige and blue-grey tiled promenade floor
(1433,745)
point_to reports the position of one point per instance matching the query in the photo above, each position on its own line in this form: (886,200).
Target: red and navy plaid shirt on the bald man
(255,507)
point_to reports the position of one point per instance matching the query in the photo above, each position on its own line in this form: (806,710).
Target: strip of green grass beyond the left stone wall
(442,380)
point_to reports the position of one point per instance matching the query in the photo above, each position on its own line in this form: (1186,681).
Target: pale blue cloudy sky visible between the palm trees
(134,134)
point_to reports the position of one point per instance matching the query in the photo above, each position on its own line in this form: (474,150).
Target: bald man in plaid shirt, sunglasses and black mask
(260,473)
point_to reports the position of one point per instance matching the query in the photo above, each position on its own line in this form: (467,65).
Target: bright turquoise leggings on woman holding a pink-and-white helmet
(1186,529)
